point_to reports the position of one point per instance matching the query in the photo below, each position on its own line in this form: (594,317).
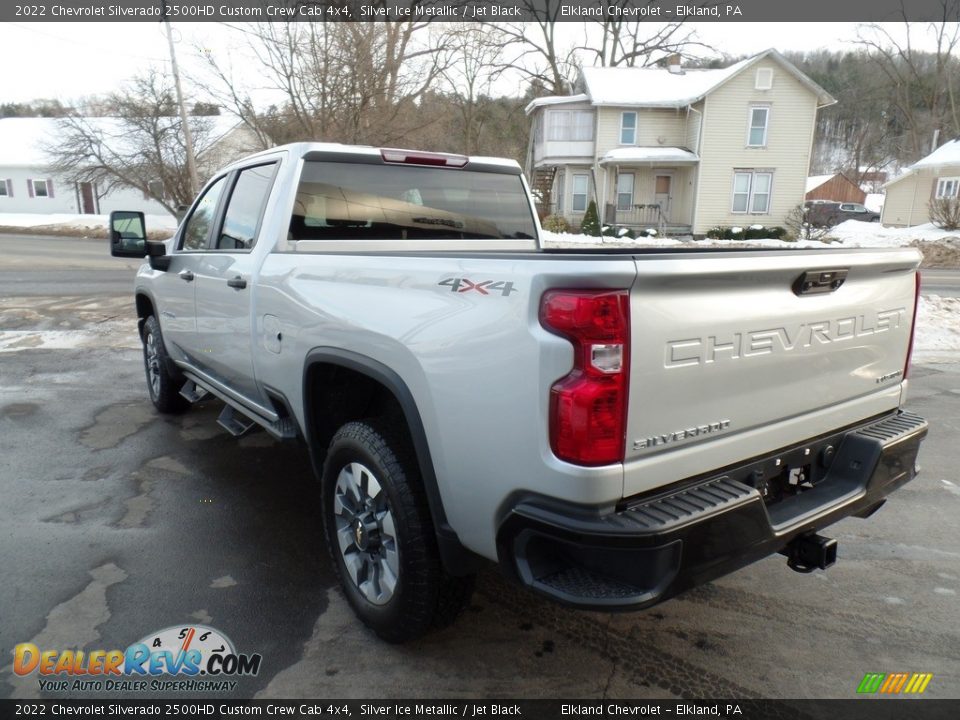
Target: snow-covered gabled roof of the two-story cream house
(660,88)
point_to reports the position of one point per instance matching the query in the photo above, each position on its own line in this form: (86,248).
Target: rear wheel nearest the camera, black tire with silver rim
(377,521)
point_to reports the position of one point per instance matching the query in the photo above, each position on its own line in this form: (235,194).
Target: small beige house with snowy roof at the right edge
(936,176)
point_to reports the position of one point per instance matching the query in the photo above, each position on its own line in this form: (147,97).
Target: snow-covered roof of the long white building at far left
(24,141)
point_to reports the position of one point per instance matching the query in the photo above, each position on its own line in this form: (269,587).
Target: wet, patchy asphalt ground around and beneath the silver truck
(117,522)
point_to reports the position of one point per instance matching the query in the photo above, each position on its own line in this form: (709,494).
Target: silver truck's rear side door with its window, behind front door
(224,282)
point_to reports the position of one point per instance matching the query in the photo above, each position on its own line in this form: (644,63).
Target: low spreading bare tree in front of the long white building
(141,146)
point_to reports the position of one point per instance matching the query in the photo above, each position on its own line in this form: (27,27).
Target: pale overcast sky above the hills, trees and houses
(67,61)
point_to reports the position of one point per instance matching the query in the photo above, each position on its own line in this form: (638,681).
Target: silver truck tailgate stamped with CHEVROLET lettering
(729,357)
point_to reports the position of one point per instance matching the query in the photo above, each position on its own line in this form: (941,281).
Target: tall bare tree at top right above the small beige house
(922,85)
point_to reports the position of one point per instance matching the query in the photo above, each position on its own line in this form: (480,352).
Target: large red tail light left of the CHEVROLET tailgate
(588,407)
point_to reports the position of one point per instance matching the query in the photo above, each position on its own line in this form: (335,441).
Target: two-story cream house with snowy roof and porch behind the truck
(678,150)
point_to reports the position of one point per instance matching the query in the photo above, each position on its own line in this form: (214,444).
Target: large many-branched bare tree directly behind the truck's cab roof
(348,82)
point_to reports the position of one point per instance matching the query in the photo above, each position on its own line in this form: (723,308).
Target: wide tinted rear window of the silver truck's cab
(343,201)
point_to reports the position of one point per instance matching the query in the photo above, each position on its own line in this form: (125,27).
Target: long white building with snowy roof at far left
(27,185)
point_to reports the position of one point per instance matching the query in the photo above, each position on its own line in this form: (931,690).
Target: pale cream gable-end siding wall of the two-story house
(793,109)
